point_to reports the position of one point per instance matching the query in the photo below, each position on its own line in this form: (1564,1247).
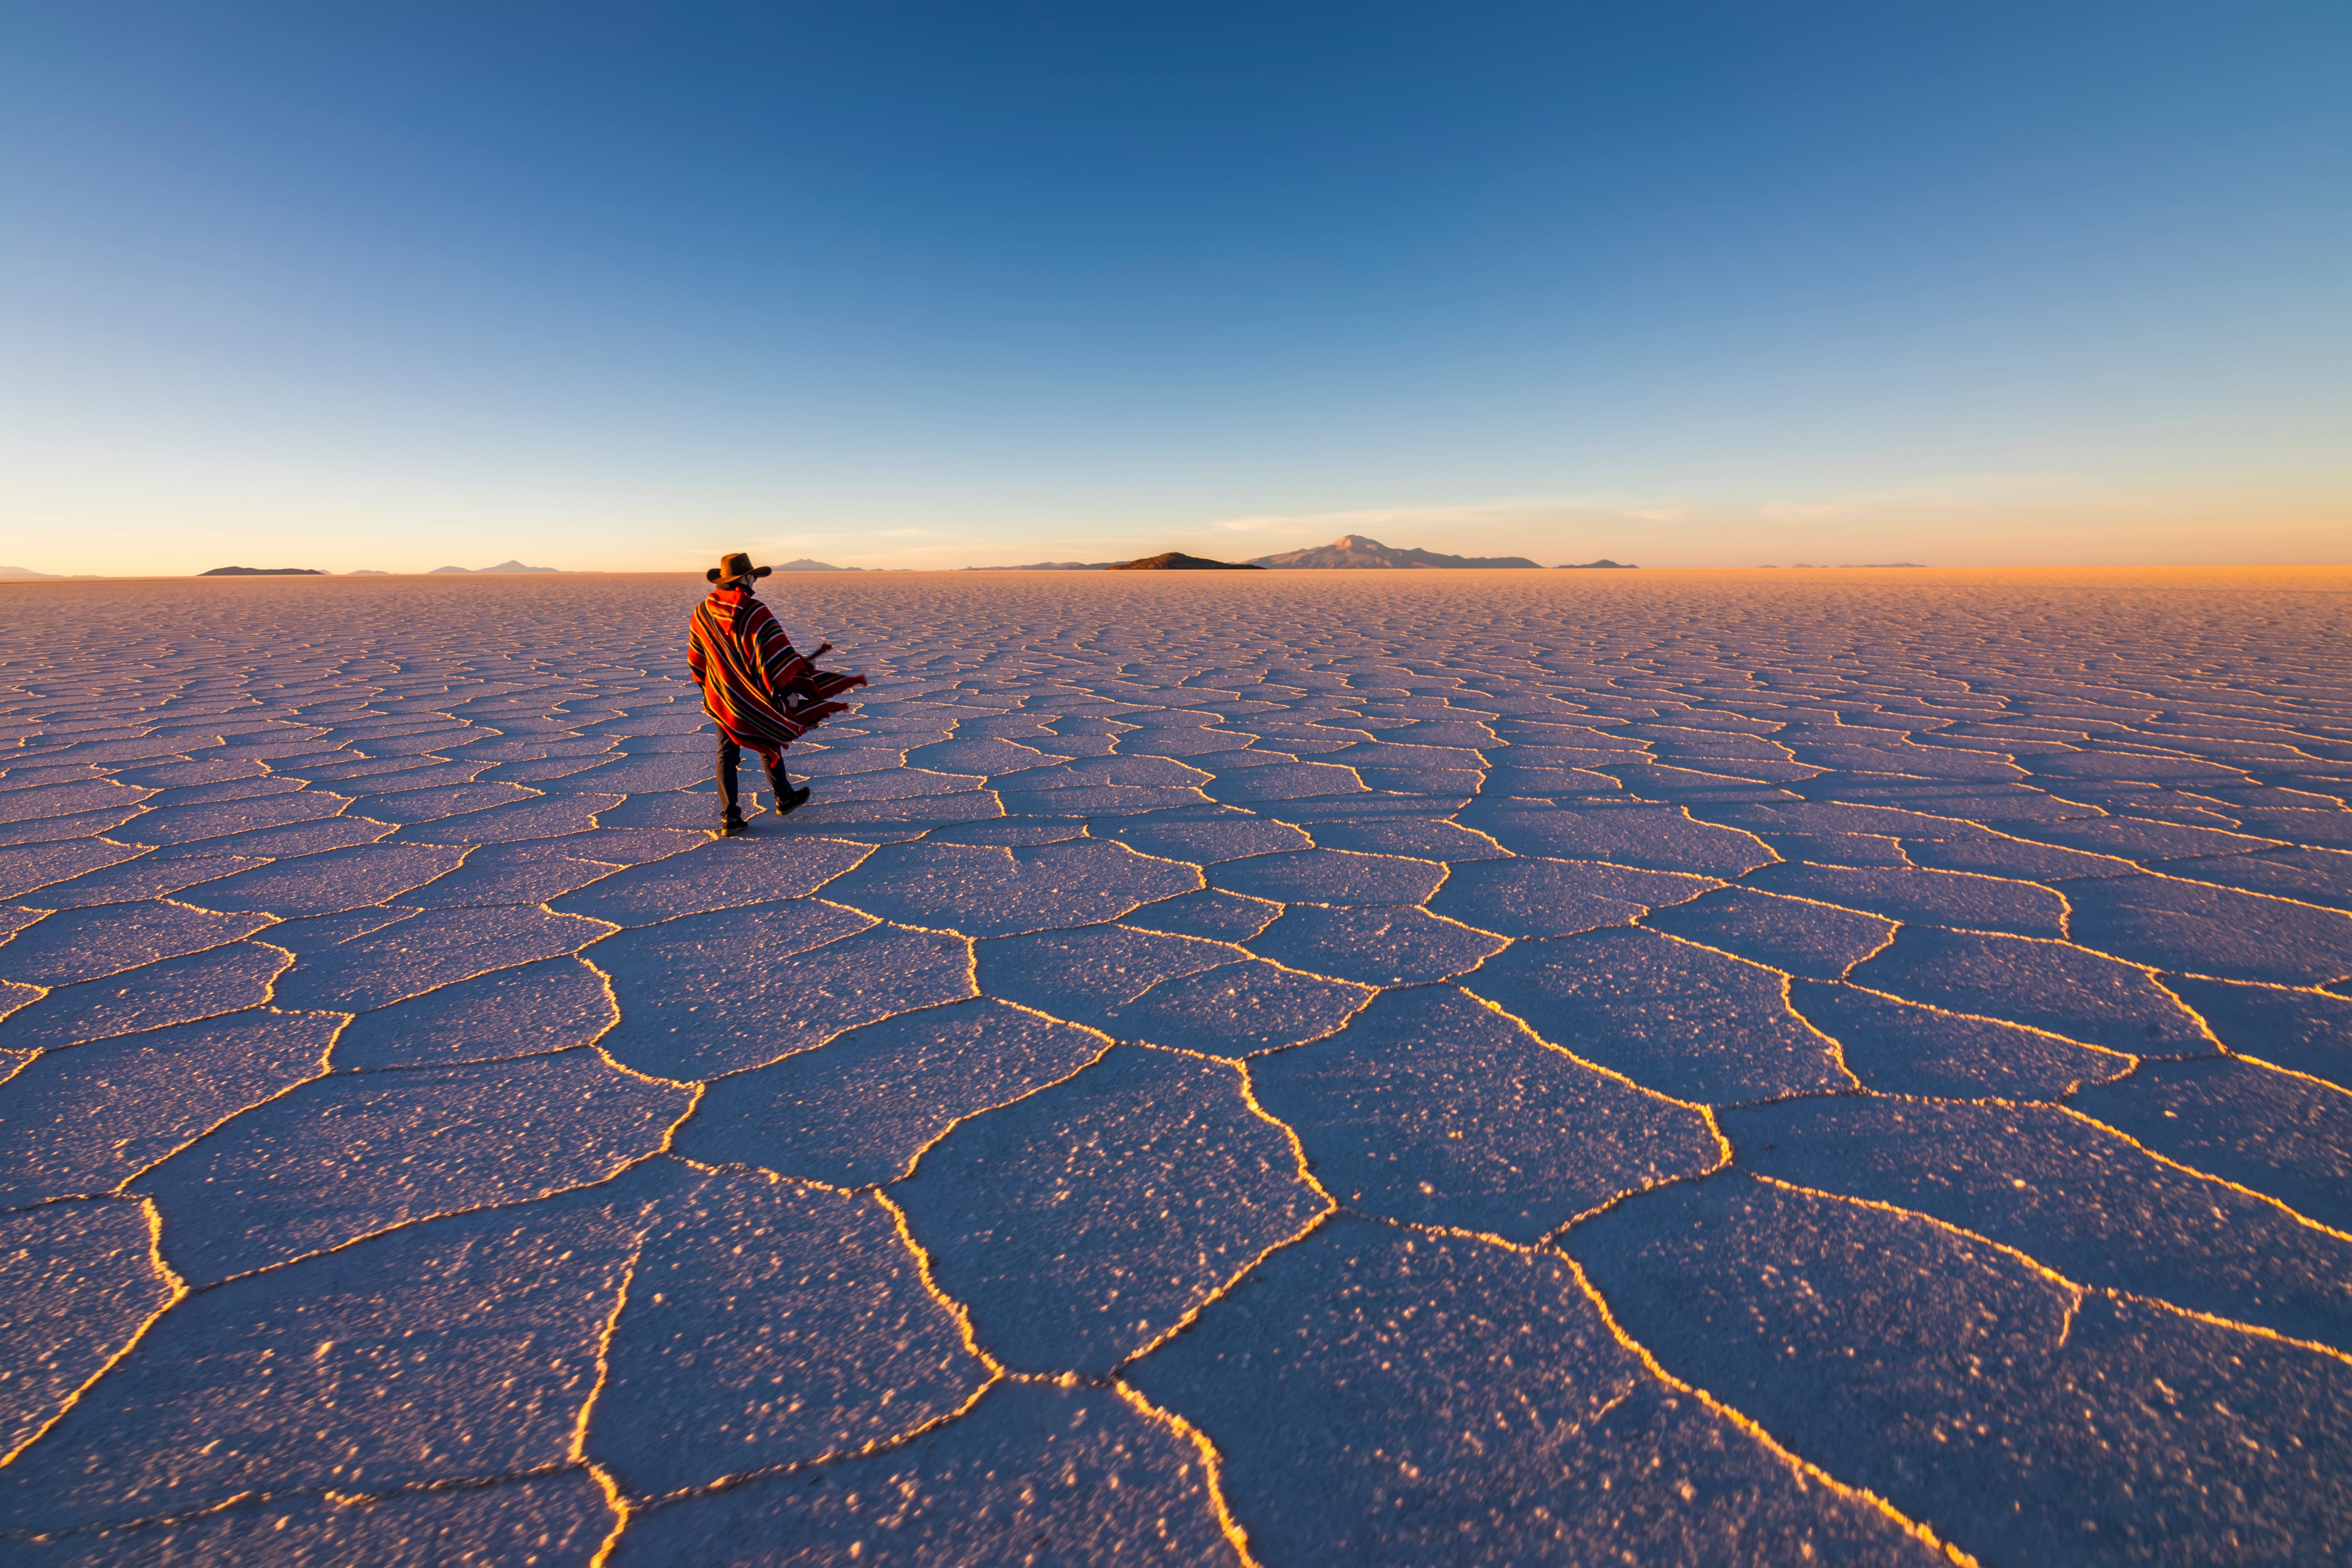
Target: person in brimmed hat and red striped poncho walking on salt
(759,690)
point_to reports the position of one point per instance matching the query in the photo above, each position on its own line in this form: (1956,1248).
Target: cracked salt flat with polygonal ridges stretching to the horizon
(1307,1068)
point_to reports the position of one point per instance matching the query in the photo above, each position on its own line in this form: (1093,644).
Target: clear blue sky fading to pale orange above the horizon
(935,286)
